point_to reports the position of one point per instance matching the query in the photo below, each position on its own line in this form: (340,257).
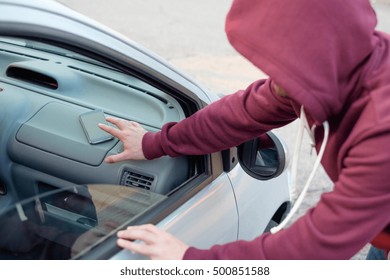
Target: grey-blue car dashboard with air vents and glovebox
(43,90)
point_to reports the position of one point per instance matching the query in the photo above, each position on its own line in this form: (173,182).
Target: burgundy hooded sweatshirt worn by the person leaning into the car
(329,58)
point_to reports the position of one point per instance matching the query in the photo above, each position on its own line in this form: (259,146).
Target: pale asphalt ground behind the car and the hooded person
(190,35)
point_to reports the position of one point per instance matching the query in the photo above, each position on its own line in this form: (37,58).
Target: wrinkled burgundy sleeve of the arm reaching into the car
(225,123)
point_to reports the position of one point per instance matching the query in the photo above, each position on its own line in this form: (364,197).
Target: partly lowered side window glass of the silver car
(66,223)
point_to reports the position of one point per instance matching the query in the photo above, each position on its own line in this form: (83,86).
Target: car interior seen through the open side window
(56,191)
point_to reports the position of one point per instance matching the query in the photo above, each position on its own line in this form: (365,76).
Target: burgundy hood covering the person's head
(316,50)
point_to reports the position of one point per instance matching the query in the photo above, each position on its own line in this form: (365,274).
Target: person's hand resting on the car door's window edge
(156,243)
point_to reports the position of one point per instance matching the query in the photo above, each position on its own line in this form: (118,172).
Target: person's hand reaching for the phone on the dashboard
(130,134)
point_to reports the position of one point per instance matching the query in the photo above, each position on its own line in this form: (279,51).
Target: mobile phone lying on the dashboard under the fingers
(89,121)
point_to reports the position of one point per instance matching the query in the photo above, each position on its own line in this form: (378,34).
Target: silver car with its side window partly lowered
(59,199)
